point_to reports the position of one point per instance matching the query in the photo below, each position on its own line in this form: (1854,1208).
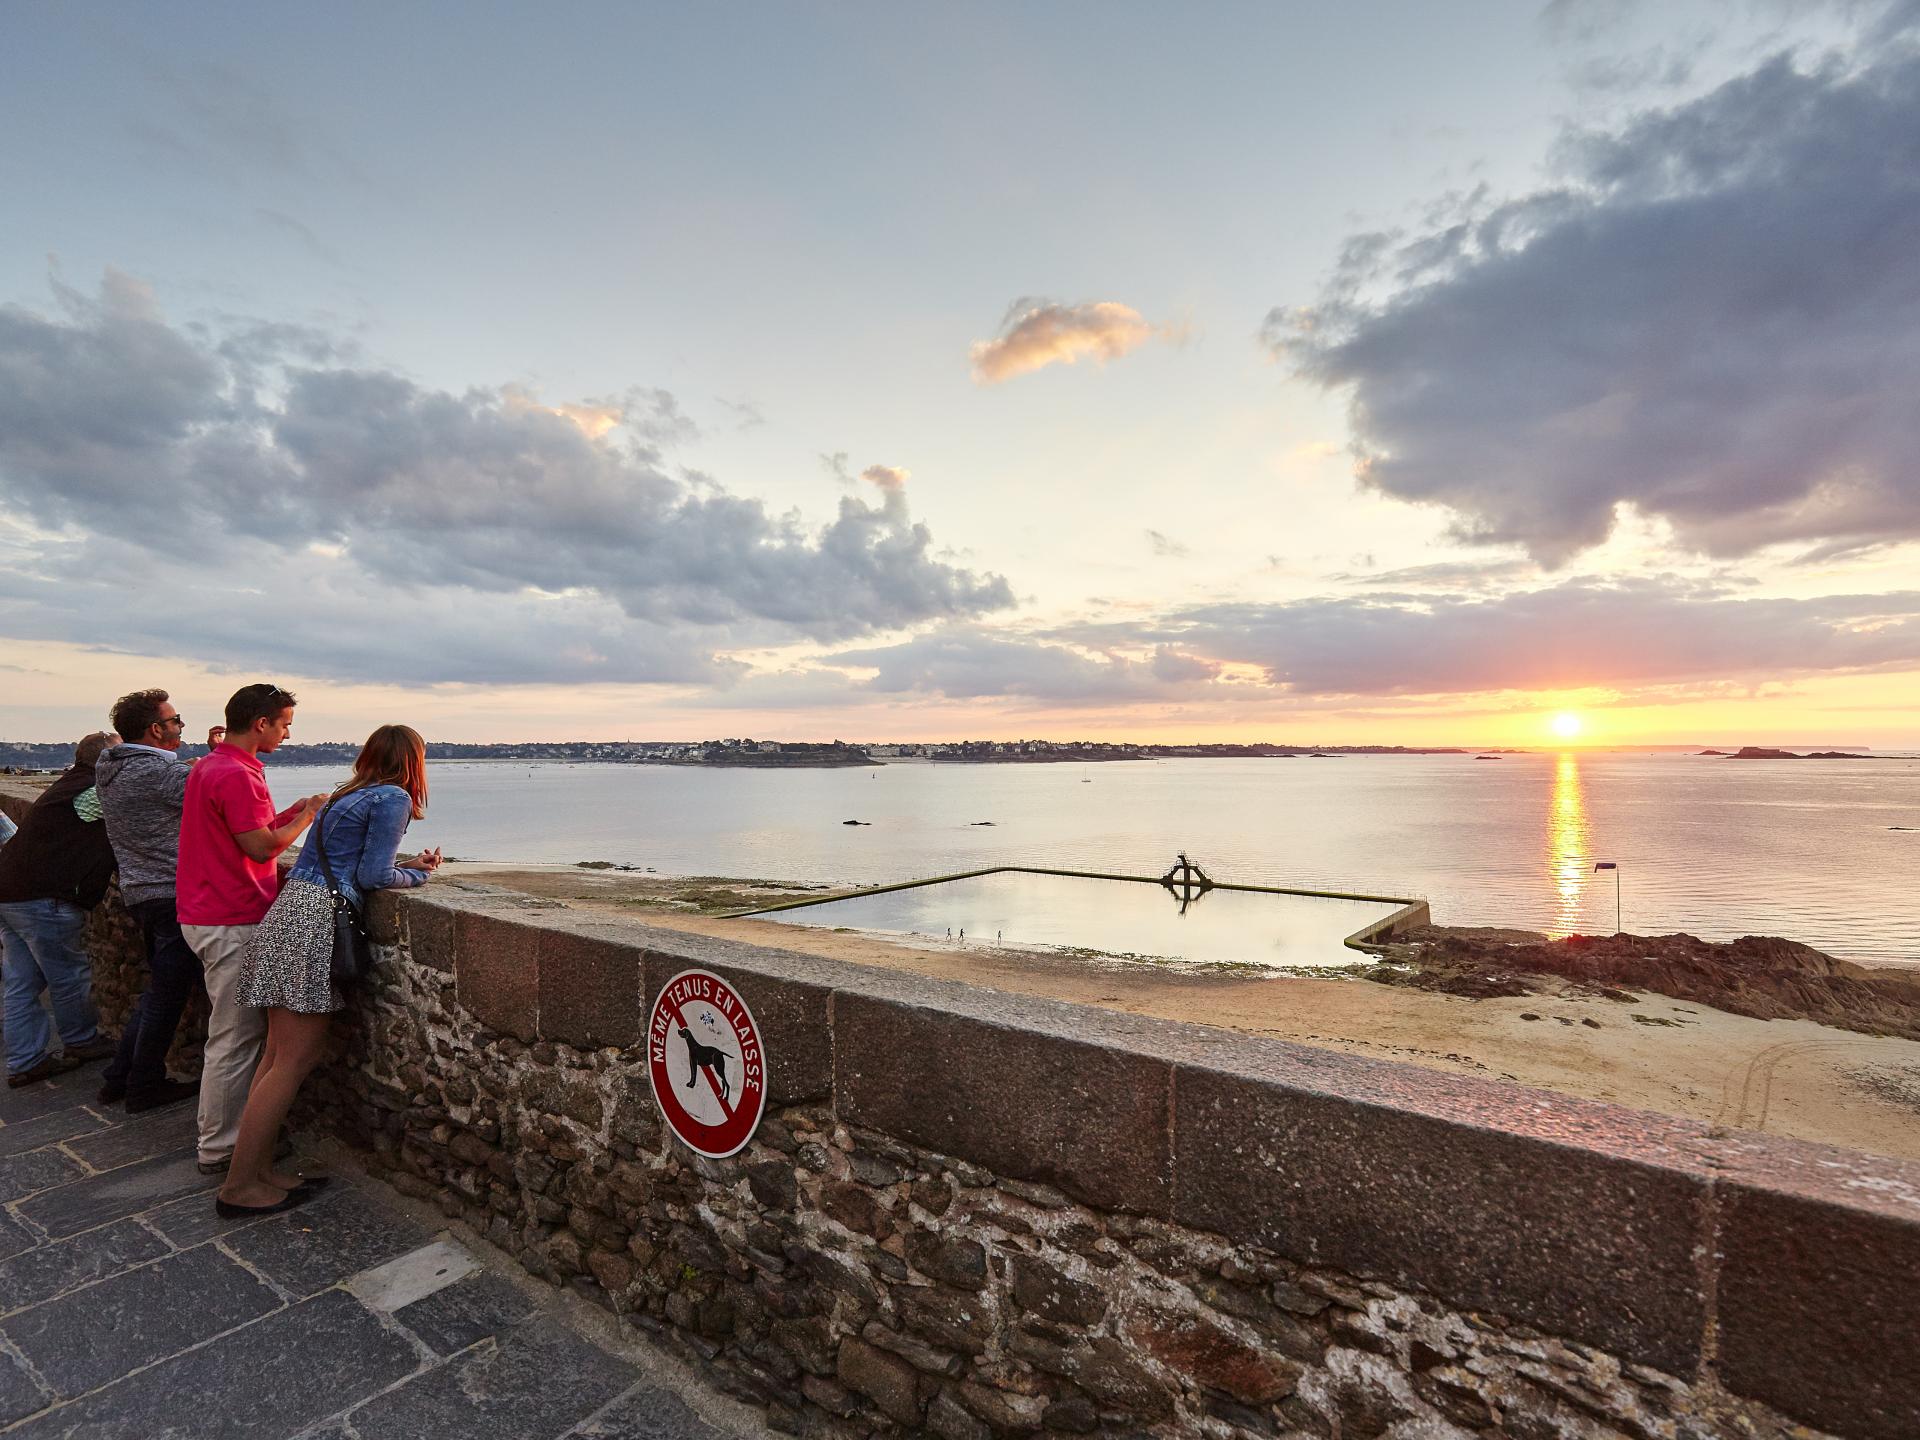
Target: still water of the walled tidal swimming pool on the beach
(1111,917)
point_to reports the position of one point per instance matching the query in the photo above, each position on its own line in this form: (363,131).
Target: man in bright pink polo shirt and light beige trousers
(228,880)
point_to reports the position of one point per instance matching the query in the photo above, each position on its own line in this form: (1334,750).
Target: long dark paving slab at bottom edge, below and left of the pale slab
(268,1380)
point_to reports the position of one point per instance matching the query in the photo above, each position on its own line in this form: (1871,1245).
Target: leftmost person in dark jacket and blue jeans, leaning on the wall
(53,873)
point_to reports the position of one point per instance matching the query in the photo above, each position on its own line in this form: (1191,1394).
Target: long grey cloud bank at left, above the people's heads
(226,460)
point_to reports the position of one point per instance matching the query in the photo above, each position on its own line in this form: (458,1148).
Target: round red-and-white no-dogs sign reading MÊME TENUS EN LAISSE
(706,1063)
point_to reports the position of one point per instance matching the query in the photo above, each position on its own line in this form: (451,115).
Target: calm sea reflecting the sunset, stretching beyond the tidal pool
(1716,848)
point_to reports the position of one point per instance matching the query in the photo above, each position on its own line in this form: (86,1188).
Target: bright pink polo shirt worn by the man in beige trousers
(218,884)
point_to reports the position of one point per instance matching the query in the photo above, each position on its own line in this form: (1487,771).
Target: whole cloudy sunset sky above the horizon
(1355,373)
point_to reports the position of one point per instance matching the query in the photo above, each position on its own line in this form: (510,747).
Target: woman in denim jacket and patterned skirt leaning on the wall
(289,957)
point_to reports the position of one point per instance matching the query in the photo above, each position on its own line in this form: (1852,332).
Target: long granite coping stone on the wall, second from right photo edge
(1577,1241)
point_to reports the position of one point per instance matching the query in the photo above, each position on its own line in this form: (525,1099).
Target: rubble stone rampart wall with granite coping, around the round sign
(976,1214)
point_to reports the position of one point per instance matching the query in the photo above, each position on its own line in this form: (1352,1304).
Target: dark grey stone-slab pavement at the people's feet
(130,1310)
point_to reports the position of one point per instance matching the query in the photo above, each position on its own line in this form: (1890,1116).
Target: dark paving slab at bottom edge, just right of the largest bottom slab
(539,1381)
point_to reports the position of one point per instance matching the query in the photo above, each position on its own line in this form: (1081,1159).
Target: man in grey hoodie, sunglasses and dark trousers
(143,784)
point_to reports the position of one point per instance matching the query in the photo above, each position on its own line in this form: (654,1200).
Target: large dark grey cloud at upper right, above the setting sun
(1714,320)
